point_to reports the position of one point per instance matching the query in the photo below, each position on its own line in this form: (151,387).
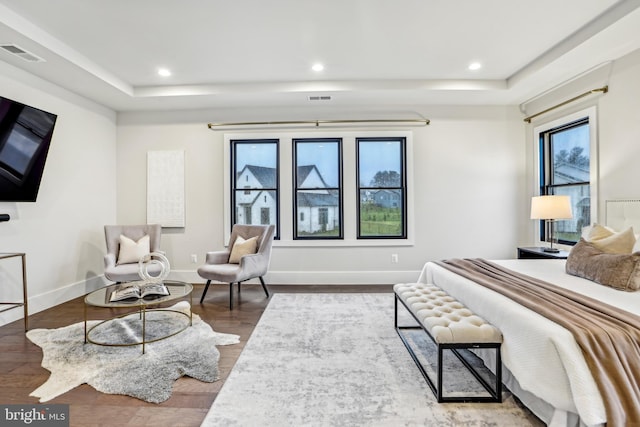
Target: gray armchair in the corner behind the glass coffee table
(127,272)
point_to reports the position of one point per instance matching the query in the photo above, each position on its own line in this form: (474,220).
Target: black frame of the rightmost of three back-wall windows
(402,188)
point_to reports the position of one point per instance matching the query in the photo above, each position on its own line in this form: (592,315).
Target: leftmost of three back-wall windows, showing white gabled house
(254,182)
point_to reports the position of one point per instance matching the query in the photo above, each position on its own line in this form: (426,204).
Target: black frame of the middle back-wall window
(296,189)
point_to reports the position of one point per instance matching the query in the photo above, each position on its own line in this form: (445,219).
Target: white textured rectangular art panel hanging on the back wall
(165,188)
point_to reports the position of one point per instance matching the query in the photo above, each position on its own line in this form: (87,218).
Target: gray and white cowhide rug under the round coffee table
(125,370)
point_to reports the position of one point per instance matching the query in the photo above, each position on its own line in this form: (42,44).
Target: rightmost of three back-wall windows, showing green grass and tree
(381,180)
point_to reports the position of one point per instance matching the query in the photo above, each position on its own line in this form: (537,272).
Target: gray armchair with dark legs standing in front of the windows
(255,265)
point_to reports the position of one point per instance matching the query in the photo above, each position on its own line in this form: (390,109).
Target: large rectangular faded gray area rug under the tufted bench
(336,360)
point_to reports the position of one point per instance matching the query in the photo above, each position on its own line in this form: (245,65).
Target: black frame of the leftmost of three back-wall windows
(236,187)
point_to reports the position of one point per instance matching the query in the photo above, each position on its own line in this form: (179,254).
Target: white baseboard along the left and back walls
(57,296)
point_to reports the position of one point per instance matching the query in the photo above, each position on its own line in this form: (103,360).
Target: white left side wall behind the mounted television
(62,233)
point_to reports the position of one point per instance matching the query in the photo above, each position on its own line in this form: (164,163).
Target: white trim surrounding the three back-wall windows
(348,182)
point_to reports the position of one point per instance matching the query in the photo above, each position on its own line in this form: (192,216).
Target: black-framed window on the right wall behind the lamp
(565,169)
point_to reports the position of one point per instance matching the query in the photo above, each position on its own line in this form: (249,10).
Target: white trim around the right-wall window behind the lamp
(591,113)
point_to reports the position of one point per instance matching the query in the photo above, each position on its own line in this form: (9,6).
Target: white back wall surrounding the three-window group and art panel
(468,178)
